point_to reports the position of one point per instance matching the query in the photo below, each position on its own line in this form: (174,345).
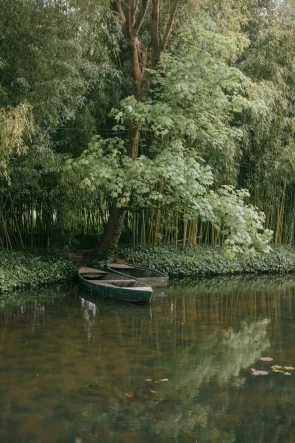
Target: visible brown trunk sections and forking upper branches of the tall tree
(144,57)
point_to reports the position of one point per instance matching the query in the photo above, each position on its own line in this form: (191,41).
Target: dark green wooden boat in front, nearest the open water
(117,287)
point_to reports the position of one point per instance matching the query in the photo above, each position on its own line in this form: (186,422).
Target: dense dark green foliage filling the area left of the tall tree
(57,70)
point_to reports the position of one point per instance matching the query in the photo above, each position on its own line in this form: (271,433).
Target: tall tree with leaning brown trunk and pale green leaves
(180,102)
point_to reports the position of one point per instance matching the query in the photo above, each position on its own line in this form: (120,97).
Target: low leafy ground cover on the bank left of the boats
(24,269)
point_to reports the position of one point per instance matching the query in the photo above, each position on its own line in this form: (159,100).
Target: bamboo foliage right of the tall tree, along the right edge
(267,165)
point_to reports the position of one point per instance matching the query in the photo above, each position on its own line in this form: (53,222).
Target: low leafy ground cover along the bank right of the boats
(208,260)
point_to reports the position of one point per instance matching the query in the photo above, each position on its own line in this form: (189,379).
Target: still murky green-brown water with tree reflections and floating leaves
(80,369)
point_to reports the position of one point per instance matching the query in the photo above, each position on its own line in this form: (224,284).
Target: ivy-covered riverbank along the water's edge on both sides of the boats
(19,270)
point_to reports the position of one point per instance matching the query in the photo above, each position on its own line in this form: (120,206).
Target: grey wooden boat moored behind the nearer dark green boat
(145,275)
